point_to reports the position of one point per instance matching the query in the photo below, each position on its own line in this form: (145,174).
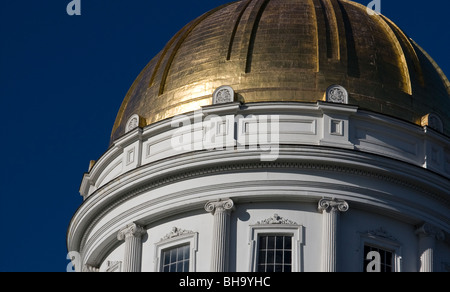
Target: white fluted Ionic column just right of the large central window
(331,209)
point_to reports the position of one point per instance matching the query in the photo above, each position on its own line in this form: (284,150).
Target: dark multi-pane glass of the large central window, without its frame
(274,253)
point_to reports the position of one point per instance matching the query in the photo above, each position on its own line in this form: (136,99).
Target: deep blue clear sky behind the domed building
(62,80)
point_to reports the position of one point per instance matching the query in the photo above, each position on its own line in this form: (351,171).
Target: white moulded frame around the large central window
(294,230)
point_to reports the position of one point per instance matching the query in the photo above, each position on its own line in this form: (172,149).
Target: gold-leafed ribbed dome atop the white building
(289,50)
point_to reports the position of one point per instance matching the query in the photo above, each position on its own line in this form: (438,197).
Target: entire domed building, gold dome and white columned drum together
(275,136)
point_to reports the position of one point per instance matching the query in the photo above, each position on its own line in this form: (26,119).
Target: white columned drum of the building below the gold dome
(267,186)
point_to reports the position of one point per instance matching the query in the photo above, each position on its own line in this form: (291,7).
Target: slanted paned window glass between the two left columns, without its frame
(176,259)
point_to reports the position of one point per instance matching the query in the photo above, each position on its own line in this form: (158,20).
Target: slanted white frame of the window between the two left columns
(175,242)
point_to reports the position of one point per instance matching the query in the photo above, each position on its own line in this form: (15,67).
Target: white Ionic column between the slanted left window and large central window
(221,210)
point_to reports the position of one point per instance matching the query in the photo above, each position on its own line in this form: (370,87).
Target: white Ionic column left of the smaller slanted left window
(132,234)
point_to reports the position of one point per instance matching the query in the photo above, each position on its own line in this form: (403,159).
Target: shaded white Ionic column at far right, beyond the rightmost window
(427,239)
